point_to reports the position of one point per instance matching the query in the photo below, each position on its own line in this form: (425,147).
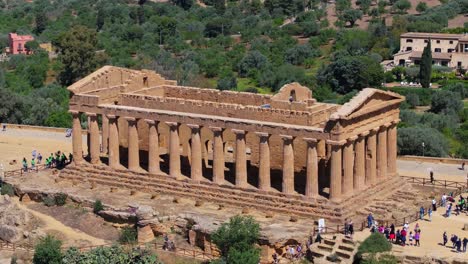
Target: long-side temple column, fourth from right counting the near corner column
(264,166)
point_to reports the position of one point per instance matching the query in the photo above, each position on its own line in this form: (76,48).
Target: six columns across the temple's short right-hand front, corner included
(360,161)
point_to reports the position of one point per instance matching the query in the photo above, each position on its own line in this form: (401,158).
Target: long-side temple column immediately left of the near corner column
(312,186)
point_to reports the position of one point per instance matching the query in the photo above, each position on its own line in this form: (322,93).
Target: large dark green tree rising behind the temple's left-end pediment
(77,49)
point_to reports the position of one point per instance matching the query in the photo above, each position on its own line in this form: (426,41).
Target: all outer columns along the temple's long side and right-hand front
(355,163)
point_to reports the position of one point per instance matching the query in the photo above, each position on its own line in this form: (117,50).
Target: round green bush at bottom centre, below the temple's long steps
(236,240)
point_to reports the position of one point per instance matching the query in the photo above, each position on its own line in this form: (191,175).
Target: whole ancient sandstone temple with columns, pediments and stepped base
(285,152)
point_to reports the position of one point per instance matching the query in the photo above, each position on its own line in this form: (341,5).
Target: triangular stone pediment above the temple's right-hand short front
(367,100)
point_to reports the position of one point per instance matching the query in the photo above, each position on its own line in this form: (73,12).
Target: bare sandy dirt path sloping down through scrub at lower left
(51,224)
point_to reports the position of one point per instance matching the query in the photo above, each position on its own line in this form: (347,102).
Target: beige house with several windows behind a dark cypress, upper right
(449,50)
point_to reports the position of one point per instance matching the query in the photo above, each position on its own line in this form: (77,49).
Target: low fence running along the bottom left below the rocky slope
(179,251)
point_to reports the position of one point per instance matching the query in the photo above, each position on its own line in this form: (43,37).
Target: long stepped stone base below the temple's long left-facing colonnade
(243,198)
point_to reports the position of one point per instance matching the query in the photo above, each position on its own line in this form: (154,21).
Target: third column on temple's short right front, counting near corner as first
(359,179)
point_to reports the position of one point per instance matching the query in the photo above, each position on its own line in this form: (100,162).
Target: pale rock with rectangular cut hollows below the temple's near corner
(336,248)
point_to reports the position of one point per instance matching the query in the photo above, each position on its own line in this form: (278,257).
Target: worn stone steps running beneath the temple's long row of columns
(219,195)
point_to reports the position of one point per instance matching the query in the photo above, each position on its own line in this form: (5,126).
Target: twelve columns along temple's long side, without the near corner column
(111,135)
